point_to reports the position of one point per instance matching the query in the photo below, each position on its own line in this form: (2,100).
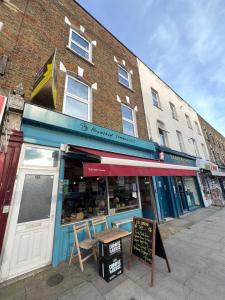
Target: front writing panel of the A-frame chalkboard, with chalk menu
(143,235)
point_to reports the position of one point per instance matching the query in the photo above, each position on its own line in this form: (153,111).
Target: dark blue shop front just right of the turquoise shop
(177,195)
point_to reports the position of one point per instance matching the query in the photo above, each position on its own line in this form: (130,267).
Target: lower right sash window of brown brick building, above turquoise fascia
(128,118)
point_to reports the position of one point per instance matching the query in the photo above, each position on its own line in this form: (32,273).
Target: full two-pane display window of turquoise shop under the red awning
(88,197)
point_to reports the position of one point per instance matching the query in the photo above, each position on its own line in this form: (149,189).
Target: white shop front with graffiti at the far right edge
(212,181)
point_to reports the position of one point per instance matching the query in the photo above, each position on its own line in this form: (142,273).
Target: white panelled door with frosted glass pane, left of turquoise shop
(30,234)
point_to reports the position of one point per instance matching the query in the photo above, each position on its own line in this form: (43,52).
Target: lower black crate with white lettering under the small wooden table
(111,268)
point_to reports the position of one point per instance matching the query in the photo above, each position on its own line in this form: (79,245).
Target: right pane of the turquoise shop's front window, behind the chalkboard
(123,193)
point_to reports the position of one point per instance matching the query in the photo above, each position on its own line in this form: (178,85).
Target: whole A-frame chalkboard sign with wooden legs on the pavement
(146,243)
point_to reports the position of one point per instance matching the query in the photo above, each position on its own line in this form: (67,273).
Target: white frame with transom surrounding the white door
(14,210)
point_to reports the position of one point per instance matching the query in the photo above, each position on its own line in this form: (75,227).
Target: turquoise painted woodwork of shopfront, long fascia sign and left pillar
(47,128)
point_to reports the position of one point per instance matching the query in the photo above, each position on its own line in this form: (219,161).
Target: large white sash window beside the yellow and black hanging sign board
(77,99)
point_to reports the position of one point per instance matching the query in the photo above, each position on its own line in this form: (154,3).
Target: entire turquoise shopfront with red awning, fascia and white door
(69,171)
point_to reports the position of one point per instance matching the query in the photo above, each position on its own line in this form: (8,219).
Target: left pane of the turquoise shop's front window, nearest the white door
(83,197)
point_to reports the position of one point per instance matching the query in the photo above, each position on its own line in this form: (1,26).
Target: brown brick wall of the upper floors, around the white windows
(42,28)
